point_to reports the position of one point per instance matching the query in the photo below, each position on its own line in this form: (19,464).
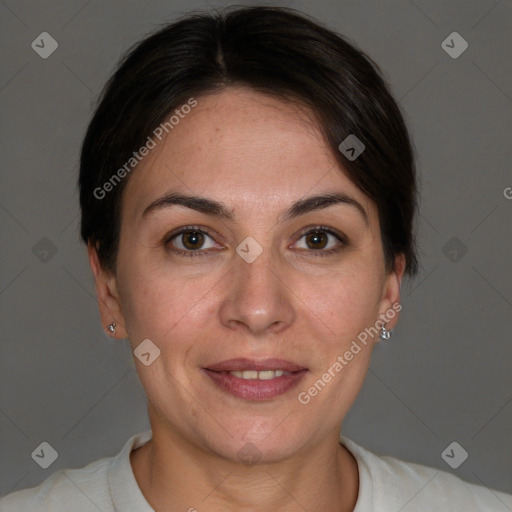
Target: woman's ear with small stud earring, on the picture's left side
(108,297)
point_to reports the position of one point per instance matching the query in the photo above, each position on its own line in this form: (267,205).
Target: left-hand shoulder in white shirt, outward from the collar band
(86,488)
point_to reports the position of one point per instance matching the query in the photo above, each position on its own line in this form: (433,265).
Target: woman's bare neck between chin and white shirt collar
(175,476)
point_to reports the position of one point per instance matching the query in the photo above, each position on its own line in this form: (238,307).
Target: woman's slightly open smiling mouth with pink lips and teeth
(255,380)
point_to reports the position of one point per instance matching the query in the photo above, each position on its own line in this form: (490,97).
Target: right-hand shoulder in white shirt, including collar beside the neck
(389,484)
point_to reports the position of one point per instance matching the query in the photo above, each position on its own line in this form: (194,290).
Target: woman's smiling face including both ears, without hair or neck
(250,284)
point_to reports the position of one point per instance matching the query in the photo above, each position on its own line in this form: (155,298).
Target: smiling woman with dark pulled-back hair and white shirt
(247,188)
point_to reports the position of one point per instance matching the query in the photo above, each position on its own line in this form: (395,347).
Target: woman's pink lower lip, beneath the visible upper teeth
(255,389)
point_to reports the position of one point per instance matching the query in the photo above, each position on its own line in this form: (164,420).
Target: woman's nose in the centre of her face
(258,300)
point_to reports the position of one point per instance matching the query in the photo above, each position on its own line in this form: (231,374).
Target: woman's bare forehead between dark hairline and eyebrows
(246,149)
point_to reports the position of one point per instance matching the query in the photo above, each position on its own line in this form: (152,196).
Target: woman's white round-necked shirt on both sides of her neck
(386,484)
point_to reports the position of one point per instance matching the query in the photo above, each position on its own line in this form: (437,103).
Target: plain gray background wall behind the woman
(446,374)
